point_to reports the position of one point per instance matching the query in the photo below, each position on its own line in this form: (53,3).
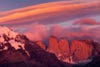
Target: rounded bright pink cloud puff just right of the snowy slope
(37,32)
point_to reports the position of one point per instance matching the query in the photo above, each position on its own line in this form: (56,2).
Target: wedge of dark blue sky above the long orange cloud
(12,4)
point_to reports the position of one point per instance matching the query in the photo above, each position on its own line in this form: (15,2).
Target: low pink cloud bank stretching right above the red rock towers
(42,32)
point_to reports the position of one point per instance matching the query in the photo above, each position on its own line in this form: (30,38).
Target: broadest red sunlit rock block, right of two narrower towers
(81,50)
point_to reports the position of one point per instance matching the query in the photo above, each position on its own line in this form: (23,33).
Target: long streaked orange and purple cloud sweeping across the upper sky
(48,13)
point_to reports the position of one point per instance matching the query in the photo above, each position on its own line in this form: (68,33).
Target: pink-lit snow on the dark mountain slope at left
(12,35)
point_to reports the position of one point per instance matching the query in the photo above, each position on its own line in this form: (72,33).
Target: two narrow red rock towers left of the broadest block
(59,48)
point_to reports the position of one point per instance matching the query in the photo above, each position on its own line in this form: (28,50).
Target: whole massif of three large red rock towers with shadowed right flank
(79,51)
